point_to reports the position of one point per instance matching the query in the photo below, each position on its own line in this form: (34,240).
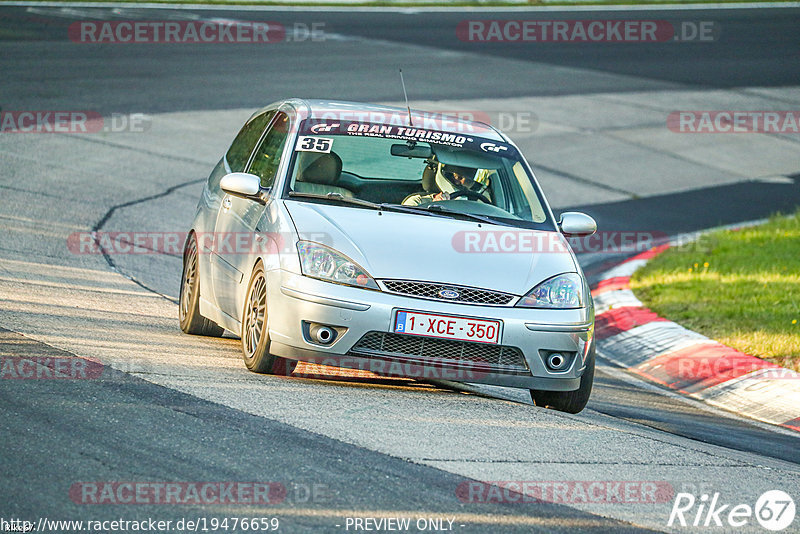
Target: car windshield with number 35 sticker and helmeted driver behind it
(426,171)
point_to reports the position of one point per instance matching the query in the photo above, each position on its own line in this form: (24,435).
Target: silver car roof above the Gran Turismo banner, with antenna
(381,114)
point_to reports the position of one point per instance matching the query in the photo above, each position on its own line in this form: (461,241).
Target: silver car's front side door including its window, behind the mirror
(237,219)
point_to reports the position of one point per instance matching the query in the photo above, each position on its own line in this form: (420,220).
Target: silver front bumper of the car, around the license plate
(363,321)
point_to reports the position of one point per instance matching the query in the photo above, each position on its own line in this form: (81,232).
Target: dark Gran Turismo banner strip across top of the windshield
(409,133)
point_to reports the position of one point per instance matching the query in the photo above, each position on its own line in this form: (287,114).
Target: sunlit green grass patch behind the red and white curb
(741,288)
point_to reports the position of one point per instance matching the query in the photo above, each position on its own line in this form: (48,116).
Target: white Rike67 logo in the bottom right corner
(774,510)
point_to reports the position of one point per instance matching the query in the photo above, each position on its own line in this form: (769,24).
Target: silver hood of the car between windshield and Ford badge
(438,249)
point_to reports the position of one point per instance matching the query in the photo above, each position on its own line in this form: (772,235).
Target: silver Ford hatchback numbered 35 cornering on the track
(398,242)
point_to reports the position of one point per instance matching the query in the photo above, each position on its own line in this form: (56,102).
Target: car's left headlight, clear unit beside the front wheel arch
(319,261)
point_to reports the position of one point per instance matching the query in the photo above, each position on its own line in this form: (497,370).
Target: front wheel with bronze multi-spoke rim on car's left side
(255,331)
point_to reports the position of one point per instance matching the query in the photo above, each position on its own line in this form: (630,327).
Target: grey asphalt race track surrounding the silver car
(172,408)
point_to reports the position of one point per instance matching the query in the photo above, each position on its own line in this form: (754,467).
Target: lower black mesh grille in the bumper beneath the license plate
(497,357)
